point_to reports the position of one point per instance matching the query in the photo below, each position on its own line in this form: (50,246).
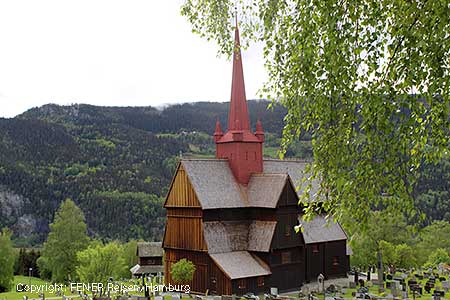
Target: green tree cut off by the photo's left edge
(7,259)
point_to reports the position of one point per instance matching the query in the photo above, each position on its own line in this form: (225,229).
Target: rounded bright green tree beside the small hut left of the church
(100,262)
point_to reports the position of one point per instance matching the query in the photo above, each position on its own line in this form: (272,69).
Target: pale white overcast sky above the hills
(110,52)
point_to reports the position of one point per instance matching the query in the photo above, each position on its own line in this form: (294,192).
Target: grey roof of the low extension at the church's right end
(320,230)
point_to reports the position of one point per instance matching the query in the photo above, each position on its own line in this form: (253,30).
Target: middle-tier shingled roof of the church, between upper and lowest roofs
(228,236)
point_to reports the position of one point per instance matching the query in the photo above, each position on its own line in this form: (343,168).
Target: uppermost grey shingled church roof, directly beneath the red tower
(216,187)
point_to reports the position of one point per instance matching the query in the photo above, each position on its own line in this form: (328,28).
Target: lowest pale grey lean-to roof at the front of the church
(240,264)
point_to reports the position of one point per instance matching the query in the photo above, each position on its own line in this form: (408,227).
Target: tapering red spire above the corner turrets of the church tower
(238,115)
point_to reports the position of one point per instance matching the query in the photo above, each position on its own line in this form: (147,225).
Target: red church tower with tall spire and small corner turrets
(242,147)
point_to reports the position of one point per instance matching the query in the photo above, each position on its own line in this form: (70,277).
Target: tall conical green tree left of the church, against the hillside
(67,237)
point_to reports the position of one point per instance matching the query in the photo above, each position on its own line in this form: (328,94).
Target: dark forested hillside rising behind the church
(116,163)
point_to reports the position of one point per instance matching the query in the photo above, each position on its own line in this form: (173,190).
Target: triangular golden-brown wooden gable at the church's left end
(181,192)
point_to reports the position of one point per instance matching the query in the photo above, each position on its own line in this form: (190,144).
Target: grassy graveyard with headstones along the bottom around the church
(433,284)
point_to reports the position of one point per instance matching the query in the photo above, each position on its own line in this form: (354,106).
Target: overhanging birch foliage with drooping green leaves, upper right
(369,80)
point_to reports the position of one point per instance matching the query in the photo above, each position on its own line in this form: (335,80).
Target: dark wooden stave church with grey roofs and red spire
(234,216)
